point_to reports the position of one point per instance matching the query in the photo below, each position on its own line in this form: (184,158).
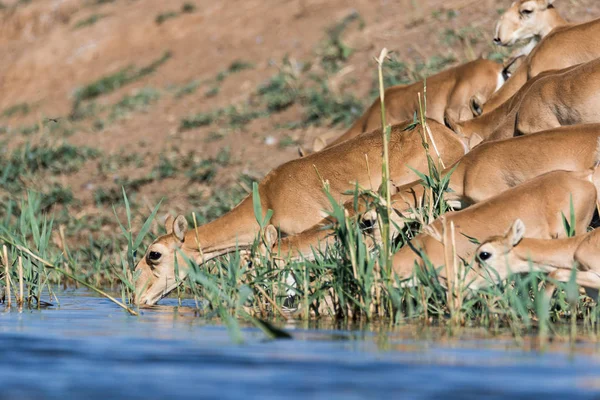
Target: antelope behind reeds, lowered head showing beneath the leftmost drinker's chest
(484,172)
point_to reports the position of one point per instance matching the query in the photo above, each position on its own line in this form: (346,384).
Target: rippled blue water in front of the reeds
(88,348)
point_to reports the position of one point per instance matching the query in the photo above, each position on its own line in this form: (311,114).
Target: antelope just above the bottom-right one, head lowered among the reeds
(540,203)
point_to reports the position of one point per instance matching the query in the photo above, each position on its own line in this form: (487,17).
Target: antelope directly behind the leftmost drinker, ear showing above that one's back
(448,91)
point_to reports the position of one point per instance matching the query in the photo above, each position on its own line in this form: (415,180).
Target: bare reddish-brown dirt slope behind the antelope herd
(50,48)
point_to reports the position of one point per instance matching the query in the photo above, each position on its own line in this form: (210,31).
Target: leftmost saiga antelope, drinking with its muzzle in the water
(294,191)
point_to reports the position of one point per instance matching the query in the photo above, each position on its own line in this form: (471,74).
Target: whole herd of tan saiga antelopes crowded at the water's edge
(523,151)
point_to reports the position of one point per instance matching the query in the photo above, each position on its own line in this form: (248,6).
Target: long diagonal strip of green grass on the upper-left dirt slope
(112,82)
